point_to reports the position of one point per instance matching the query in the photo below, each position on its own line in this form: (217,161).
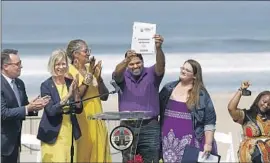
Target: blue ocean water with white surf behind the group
(231,40)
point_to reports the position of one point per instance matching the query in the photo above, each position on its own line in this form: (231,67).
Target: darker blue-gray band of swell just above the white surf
(172,44)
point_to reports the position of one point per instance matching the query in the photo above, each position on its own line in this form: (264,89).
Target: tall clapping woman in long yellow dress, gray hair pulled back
(94,142)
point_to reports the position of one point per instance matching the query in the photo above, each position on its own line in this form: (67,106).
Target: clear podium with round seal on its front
(121,136)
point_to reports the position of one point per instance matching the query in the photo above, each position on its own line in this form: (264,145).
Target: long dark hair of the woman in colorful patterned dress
(254,109)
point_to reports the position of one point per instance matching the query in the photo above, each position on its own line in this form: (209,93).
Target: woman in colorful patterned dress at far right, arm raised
(255,122)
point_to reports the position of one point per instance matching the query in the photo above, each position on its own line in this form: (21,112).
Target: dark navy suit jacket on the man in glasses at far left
(12,115)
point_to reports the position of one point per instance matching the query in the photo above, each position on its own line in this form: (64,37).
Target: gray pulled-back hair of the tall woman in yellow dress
(74,46)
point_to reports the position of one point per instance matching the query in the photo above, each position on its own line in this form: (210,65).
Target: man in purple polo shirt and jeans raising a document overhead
(140,92)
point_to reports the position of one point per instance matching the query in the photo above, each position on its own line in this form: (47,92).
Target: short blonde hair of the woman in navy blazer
(57,55)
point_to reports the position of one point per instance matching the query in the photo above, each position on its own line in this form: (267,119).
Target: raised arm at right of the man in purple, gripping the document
(160,58)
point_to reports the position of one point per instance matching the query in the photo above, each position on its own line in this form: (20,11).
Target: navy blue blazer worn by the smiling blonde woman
(52,117)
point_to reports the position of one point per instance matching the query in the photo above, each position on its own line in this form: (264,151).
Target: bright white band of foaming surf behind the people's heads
(210,62)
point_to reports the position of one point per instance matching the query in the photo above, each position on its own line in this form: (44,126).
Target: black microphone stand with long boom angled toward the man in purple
(72,113)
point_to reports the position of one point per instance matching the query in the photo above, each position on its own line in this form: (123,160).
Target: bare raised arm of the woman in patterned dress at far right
(237,114)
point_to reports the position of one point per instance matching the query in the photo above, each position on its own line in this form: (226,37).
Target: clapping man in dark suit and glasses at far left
(14,105)
